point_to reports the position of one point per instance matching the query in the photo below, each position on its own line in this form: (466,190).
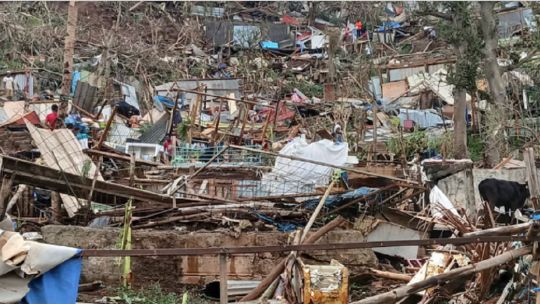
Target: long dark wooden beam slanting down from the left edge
(47,178)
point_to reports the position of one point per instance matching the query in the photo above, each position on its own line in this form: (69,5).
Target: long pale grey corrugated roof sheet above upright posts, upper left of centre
(221,87)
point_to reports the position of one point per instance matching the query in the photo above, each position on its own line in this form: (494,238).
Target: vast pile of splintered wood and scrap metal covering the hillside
(346,176)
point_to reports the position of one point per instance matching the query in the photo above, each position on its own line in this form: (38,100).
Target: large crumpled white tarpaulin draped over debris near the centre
(292,176)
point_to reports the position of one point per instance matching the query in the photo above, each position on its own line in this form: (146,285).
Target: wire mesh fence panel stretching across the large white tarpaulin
(261,175)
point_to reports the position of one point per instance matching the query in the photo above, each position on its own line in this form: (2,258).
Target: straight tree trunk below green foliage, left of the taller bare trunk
(460,125)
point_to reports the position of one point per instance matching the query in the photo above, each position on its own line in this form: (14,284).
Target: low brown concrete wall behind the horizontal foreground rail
(194,269)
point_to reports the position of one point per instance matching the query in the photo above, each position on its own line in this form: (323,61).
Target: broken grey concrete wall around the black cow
(456,190)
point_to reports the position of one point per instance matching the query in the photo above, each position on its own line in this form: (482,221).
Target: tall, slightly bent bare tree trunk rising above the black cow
(498,113)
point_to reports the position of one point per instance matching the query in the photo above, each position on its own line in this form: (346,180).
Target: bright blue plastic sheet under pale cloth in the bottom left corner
(58,285)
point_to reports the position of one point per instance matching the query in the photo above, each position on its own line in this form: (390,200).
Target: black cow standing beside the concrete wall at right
(502,194)
